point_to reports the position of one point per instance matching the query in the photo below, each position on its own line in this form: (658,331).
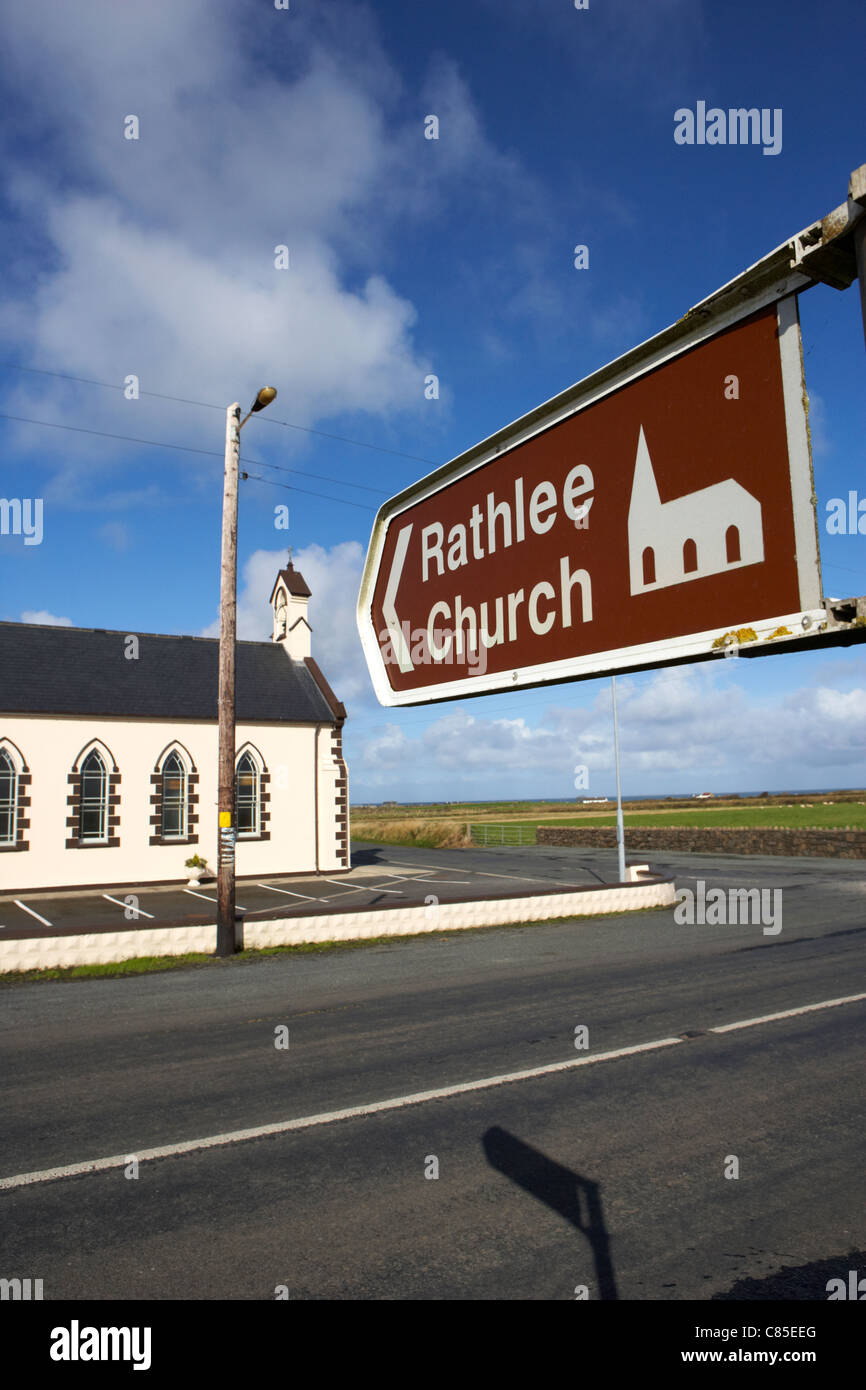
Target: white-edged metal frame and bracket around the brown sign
(831,251)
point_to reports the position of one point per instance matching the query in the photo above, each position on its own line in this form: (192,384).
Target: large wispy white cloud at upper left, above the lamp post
(156,256)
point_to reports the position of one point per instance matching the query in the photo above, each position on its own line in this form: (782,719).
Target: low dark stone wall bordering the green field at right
(826,844)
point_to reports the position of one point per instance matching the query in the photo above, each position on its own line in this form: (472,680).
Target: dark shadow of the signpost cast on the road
(566,1193)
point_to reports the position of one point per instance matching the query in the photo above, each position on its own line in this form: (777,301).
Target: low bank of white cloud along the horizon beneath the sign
(676,728)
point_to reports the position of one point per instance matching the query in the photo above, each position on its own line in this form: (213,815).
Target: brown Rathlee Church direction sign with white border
(640,519)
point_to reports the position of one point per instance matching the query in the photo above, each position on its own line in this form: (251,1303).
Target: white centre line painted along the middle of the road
(443,1093)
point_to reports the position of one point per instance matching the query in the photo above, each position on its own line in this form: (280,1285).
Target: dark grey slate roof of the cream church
(80,671)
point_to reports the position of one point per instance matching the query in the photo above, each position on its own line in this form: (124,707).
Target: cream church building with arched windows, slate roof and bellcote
(109,754)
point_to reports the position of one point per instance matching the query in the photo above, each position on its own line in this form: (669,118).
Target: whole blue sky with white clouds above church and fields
(262,127)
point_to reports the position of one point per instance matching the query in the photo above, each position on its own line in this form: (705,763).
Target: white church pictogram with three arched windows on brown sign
(704,533)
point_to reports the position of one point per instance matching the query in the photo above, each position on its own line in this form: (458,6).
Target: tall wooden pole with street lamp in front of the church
(229,633)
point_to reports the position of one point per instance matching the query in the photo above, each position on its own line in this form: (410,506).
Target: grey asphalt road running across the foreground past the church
(608,1175)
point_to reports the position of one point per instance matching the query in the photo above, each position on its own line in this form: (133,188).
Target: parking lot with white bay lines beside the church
(380,878)
